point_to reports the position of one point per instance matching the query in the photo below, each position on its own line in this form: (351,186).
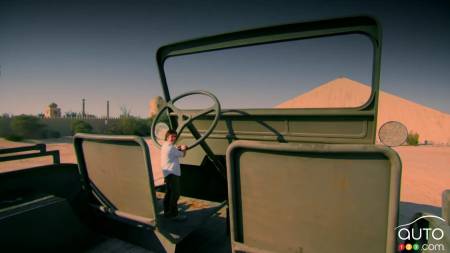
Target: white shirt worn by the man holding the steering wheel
(170,159)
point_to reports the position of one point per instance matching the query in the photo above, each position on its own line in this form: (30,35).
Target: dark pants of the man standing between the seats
(172,195)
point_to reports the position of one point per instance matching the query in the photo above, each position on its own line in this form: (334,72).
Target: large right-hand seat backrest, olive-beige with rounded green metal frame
(312,197)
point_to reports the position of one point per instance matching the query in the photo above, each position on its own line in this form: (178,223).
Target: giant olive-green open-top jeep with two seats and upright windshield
(253,180)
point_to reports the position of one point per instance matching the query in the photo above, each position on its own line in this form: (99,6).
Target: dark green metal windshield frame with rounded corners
(367,26)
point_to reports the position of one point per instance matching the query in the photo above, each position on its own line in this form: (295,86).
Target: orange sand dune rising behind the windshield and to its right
(432,125)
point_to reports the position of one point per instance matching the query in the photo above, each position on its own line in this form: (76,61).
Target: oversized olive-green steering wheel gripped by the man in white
(185,119)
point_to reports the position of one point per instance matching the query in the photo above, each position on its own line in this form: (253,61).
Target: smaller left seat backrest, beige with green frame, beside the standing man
(117,169)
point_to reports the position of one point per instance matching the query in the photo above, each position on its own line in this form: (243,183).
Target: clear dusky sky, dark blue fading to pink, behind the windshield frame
(63,51)
